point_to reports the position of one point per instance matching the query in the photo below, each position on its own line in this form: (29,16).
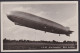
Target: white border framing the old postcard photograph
(36,2)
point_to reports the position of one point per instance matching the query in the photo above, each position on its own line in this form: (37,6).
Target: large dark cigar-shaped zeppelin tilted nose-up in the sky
(38,23)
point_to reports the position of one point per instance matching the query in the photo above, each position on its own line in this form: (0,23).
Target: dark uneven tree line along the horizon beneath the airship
(41,41)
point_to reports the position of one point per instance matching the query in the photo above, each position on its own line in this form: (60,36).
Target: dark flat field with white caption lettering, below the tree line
(37,46)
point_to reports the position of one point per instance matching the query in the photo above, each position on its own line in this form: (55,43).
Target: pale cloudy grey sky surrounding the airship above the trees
(65,14)
